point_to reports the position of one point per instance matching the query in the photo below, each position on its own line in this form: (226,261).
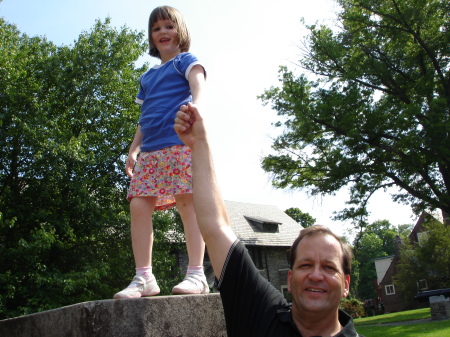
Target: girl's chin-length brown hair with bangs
(172,14)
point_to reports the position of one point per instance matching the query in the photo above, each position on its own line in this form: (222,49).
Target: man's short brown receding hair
(323,230)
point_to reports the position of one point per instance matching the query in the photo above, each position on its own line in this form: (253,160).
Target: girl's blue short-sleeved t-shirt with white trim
(163,89)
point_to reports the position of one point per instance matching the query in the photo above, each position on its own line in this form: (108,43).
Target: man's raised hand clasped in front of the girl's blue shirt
(189,125)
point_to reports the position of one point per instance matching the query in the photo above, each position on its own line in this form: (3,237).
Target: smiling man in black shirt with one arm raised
(320,263)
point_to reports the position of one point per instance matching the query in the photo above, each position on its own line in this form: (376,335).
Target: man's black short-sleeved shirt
(253,307)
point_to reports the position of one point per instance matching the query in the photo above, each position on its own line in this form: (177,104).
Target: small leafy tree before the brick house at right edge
(427,260)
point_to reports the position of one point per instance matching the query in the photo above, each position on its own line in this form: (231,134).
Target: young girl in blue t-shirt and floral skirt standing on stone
(161,177)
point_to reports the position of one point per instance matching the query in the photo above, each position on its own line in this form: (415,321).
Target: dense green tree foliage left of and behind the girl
(67,118)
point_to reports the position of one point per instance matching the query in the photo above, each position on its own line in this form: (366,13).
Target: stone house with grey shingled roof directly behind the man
(267,233)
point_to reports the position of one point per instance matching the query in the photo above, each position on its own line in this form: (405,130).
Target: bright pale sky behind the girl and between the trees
(241,43)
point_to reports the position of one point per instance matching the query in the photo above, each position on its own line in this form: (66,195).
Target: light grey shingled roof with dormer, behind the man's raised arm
(262,225)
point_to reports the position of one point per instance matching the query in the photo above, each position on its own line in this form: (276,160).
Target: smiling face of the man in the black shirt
(317,281)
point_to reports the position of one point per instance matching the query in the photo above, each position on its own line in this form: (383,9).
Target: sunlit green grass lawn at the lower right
(427,329)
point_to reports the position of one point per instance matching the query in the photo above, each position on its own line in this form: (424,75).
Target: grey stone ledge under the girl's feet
(168,316)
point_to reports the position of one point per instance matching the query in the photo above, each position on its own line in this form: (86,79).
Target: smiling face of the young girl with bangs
(165,39)
